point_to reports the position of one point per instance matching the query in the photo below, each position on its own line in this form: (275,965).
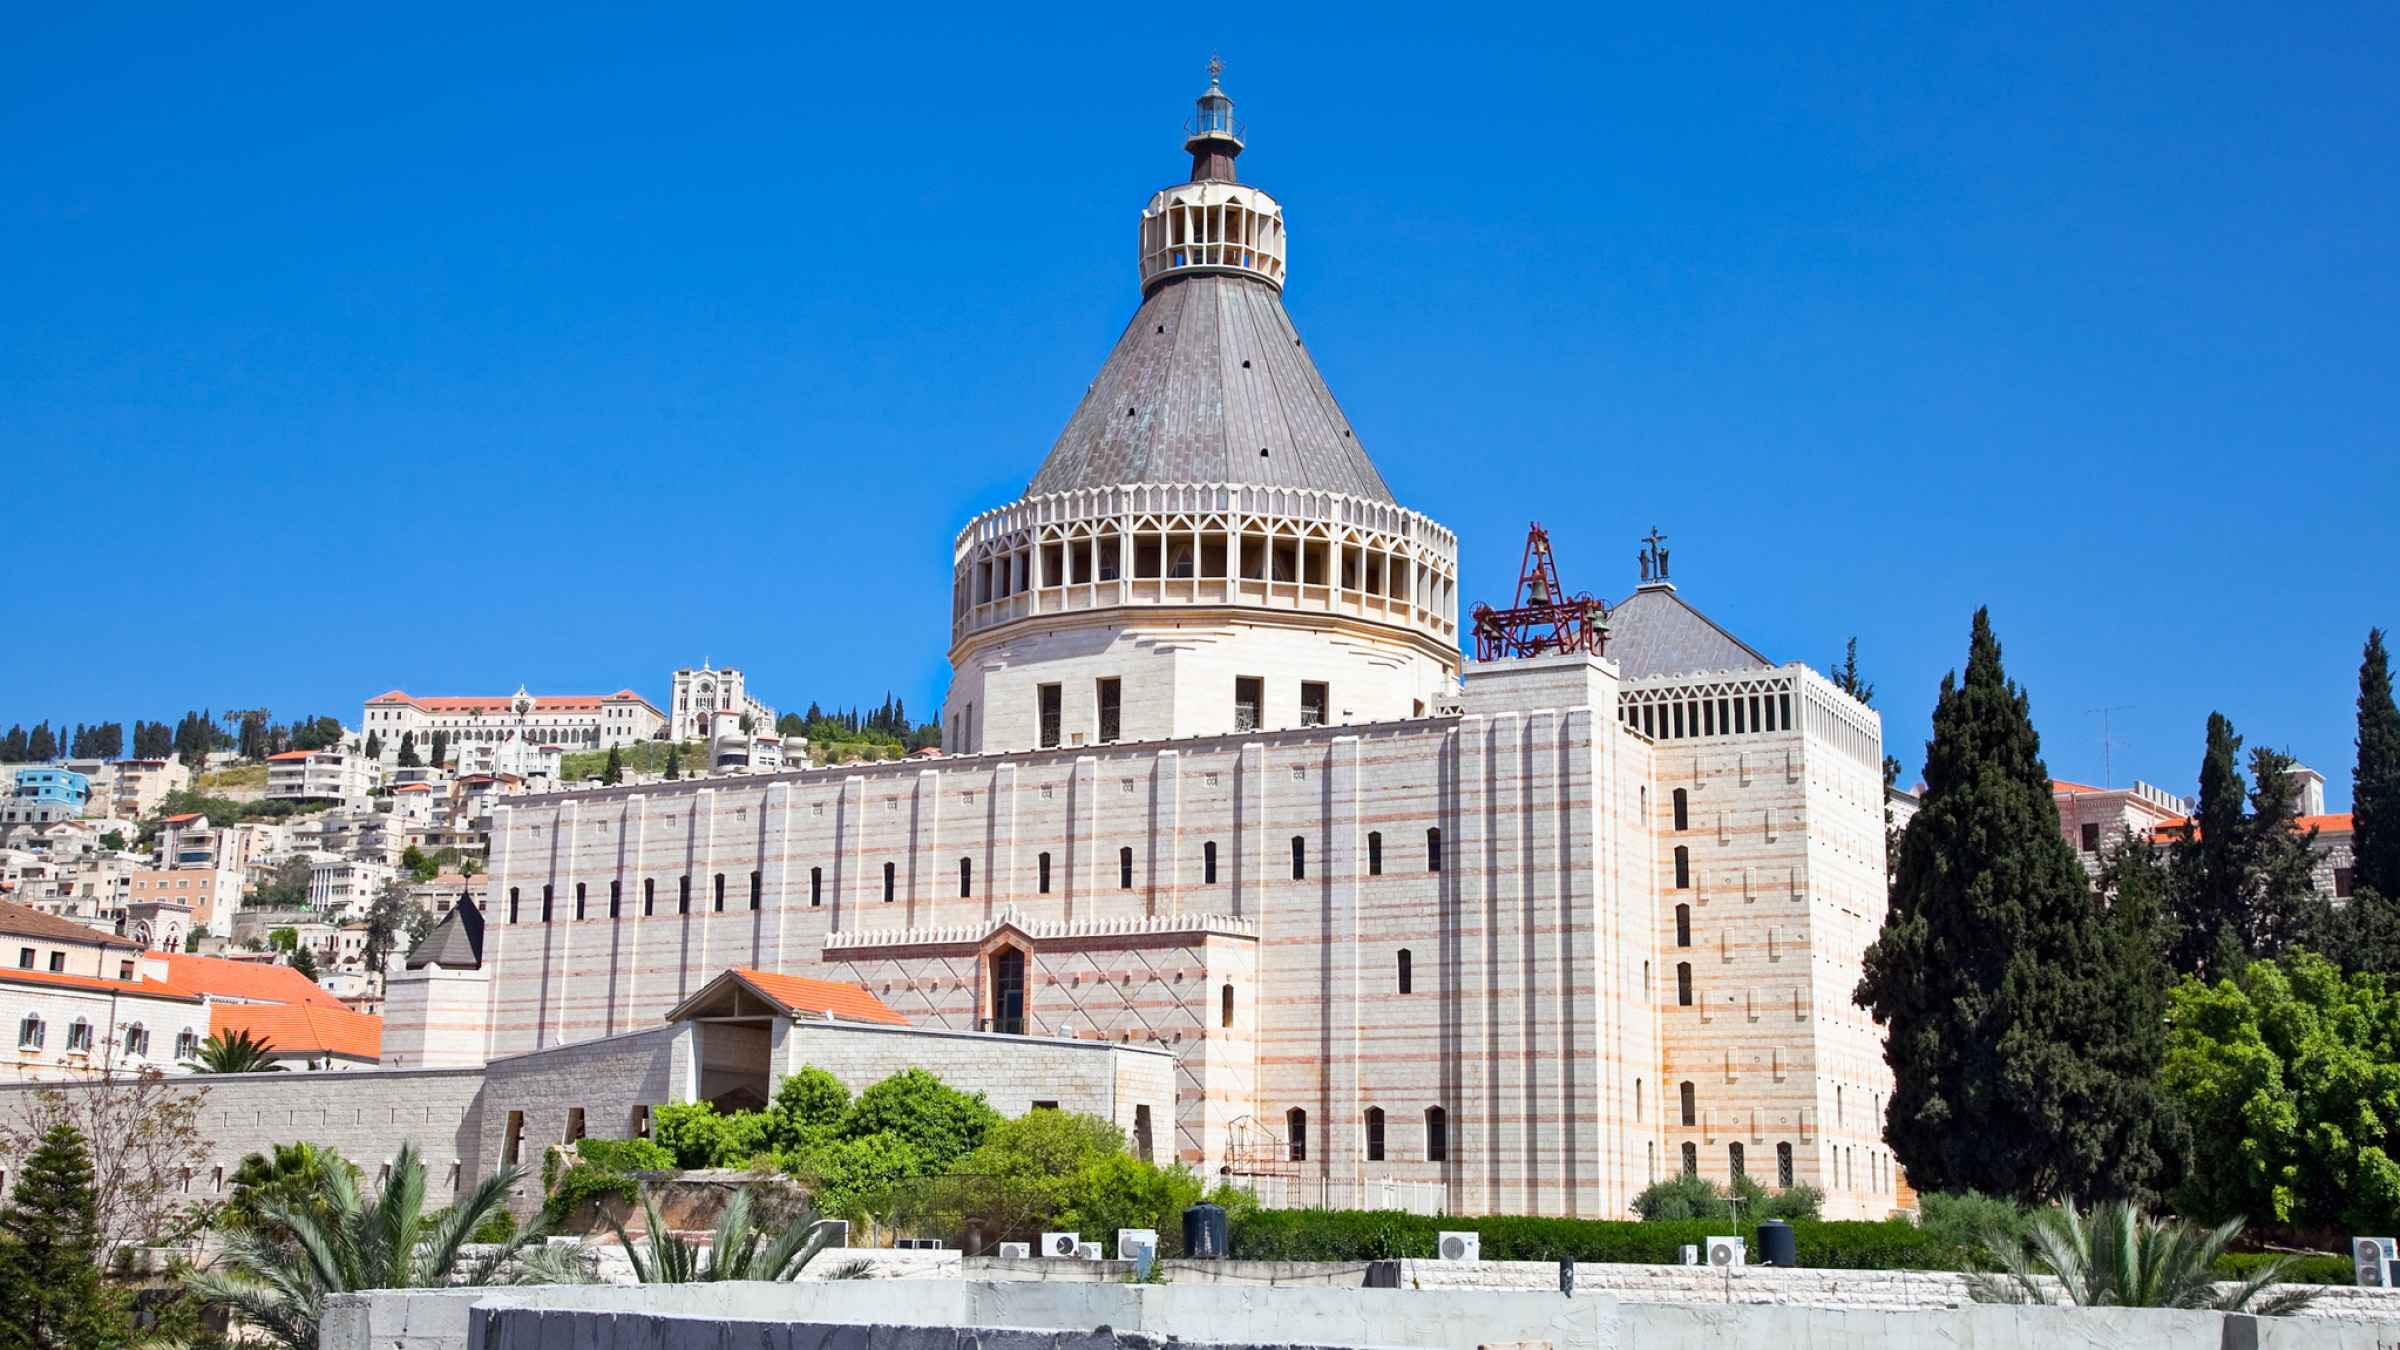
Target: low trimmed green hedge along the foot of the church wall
(1374,1236)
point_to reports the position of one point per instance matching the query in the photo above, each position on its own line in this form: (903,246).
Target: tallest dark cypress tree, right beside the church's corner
(2022,1041)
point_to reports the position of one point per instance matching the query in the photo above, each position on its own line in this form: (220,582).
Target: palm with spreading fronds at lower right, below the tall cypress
(2123,1258)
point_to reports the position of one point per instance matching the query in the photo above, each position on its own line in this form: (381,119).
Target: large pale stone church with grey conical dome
(1501,936)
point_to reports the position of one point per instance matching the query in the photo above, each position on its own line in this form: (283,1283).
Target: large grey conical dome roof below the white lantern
(1206,376)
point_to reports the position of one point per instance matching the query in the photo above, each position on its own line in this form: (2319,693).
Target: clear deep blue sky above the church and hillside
(469,347)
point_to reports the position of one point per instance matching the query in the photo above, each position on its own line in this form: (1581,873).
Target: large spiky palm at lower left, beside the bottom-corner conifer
(280,1272)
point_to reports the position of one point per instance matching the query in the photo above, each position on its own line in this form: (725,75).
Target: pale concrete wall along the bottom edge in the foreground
(719,1318)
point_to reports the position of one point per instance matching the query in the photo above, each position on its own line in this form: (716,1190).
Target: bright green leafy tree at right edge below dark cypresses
(2288,1075)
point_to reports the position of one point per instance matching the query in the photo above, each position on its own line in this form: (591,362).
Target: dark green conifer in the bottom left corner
(52,1291)
